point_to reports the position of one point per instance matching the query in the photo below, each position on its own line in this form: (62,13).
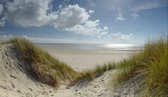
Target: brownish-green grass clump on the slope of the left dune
(40,65)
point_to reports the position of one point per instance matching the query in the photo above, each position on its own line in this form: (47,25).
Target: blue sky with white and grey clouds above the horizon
(84,21)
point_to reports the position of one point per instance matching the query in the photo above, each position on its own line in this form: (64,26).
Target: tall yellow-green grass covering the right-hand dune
(152,64)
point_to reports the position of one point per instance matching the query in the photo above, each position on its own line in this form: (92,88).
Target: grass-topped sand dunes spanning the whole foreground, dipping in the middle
(28,71)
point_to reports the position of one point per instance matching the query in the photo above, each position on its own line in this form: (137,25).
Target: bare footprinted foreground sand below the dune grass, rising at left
(15,83)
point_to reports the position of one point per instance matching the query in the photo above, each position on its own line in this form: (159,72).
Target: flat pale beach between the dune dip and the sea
(82,60)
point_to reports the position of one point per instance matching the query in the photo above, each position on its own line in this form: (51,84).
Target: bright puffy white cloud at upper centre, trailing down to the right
(76,19)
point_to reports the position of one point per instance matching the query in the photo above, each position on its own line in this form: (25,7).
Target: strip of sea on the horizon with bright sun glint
(91,47)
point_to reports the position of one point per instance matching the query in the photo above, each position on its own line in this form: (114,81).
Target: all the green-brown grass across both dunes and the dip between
(151,64)
